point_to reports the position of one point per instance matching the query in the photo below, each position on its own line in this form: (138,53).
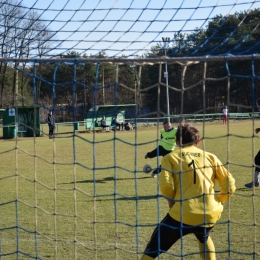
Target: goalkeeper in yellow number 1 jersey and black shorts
(187,181)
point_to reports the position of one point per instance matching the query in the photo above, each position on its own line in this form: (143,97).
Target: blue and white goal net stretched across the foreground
(83,194)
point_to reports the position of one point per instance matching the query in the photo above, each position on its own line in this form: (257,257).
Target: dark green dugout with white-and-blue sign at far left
(21,121)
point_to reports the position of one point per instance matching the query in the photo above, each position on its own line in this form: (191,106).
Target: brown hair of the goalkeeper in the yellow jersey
(187,134)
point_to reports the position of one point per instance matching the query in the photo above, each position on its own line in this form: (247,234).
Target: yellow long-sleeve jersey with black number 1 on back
(188,177)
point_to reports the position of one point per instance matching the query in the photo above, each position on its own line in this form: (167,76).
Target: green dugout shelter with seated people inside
(94,115)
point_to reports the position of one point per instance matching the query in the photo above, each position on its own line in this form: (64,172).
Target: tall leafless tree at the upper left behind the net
(22,34)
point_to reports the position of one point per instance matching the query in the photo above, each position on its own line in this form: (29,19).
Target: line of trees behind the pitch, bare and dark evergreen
(206,85)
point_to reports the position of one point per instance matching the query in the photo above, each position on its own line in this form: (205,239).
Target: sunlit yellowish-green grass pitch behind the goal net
(85,196)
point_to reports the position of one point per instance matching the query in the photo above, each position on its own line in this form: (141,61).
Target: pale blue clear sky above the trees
(126,27)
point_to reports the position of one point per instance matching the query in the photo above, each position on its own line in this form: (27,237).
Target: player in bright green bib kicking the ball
(166,145)
